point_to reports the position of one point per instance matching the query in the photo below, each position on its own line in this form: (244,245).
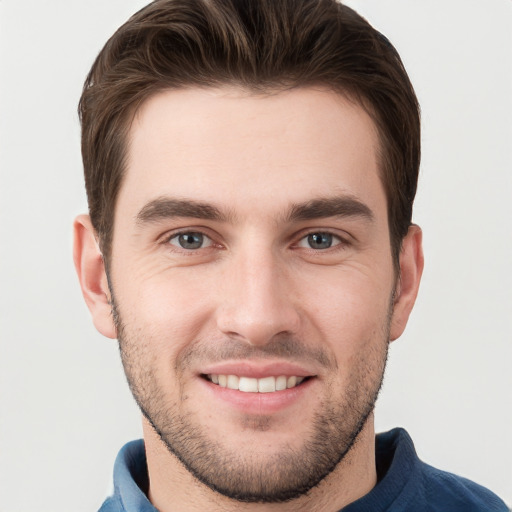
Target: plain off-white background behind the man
(65,409)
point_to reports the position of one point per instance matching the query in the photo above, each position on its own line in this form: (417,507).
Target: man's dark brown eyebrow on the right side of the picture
(339,206)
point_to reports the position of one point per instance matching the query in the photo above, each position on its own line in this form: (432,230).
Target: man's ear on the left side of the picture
(92,276)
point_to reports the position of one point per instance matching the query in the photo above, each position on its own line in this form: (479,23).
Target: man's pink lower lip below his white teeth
(258,403)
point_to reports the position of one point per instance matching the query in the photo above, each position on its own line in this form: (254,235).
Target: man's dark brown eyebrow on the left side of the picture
(165,208)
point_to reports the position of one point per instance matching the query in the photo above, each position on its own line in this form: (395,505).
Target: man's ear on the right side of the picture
(411,268)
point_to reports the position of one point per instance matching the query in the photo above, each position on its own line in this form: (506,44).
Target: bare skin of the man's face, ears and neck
(256,293)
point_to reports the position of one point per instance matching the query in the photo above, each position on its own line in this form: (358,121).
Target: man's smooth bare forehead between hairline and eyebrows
(230,146)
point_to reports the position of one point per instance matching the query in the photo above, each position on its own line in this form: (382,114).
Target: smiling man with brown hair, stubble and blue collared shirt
(250,169)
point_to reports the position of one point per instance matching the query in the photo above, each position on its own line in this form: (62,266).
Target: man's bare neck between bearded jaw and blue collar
(172,487)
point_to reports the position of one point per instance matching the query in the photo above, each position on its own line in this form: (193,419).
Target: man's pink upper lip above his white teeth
(257,370)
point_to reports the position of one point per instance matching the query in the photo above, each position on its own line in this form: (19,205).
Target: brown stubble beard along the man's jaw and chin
(286,474)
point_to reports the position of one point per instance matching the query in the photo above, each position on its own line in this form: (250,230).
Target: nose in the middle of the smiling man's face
(257,300)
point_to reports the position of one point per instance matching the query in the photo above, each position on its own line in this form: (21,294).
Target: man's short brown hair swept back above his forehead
(260,45)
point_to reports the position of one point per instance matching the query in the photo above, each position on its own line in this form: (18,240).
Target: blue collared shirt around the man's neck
(405,483)
